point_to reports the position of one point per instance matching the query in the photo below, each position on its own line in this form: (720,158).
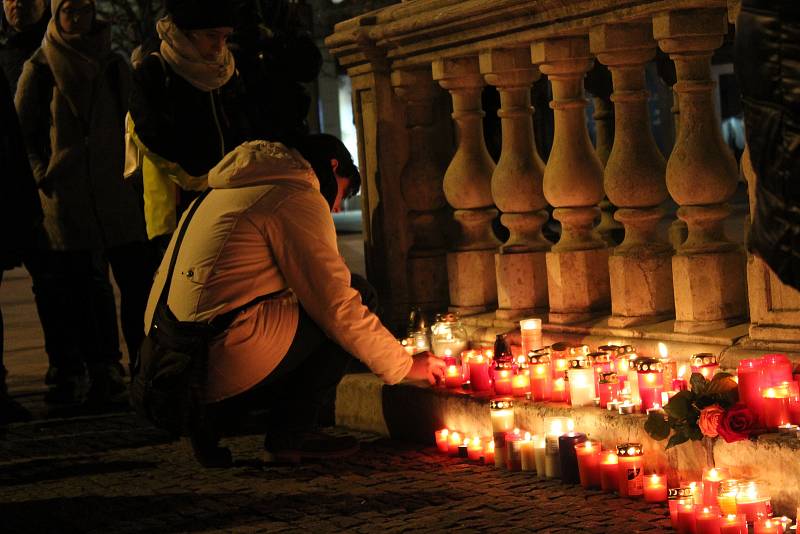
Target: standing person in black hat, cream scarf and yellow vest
(187,108)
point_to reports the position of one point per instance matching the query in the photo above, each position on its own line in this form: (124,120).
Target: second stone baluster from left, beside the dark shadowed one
(467,188)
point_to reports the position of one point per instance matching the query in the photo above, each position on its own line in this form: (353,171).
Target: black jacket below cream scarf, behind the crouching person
(182,124)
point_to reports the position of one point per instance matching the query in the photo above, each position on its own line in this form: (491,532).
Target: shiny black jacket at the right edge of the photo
(768,71)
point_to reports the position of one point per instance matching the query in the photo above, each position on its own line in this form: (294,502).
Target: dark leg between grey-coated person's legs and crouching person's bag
(133,270)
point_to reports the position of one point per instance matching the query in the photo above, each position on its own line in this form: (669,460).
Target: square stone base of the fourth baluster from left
(578,284)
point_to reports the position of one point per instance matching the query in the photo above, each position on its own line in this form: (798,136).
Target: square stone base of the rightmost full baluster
(709,290)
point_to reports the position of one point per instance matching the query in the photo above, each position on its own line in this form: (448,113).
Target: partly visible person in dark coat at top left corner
(22,27)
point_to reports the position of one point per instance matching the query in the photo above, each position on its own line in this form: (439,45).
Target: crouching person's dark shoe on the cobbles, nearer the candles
(308,446)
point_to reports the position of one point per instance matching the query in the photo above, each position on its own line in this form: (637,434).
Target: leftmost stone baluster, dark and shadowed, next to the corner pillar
(421,187)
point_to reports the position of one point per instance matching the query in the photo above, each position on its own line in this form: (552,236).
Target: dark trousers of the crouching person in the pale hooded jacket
(297,388)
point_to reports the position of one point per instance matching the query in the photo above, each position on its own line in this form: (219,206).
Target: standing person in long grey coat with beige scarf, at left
(71,102)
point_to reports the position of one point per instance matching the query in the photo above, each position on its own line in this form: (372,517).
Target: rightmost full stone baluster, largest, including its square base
(708,270)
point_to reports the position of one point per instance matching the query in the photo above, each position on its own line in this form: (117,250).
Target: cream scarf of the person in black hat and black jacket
(180,54)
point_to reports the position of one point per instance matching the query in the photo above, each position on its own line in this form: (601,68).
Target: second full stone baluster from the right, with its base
(641,267)
